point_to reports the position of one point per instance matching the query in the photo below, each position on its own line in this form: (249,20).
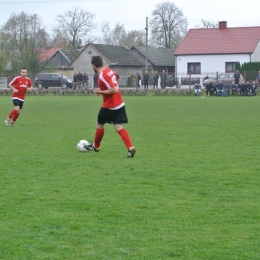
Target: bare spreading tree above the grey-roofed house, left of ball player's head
(75,25)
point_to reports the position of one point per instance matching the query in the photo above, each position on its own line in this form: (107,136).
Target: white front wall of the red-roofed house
(210,64)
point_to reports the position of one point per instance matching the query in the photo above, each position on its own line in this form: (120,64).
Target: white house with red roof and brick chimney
(204,52)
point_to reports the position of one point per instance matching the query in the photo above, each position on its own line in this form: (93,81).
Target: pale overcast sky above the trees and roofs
(133,13)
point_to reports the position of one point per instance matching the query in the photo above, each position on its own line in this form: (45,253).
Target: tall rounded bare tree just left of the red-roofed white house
(168,26)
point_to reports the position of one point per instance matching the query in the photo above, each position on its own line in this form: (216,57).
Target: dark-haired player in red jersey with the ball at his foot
(113,107)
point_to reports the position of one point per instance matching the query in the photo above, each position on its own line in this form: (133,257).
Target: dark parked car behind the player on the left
(46,80)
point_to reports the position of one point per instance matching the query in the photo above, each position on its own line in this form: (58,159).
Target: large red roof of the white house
(239,40)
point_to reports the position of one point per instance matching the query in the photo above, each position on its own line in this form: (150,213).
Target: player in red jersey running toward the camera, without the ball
(19,86)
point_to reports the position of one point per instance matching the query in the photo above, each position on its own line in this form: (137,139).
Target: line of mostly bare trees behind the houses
(23,35)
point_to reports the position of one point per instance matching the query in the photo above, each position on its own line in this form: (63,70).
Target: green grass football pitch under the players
(191,191)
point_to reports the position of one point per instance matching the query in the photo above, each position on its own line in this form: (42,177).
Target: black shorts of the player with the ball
(117,117)
